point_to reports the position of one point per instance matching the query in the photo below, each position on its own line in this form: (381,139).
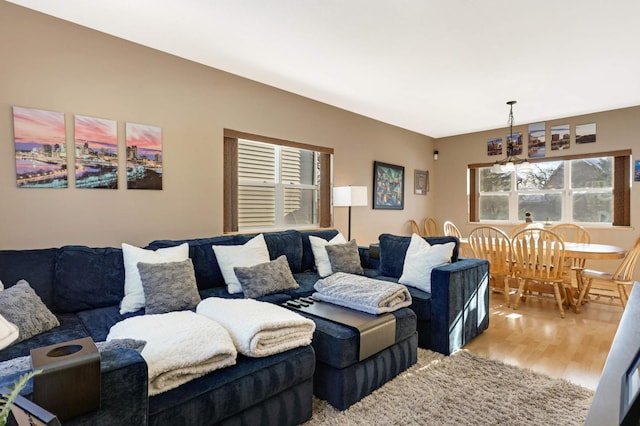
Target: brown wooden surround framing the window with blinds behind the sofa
(231,181)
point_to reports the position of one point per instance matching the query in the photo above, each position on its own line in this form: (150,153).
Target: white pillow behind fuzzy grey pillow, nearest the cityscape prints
(133,291)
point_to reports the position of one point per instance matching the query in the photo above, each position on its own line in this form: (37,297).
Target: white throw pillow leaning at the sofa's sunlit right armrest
(420,260)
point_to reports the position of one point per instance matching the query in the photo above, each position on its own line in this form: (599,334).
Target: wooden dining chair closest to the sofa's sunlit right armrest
(493,245)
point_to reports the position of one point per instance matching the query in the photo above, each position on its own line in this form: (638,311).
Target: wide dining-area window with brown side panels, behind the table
(587,190)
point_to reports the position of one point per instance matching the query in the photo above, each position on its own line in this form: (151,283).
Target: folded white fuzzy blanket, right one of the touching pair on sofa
(259,328)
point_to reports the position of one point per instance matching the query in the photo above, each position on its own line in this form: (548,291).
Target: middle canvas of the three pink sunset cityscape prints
(96,152)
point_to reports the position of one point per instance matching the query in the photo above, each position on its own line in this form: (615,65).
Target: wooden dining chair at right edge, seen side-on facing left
(621,280)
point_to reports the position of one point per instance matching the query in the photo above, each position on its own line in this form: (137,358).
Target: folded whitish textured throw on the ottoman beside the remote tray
(362,293)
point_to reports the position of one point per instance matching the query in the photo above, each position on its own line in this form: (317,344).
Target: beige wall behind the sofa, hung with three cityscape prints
(55,65)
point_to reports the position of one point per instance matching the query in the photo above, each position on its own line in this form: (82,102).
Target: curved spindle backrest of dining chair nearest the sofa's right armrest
(491,244)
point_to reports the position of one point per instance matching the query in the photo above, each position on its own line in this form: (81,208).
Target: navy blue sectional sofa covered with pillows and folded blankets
(83,287)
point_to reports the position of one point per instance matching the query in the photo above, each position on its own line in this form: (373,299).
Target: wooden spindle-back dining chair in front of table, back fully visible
(538,265)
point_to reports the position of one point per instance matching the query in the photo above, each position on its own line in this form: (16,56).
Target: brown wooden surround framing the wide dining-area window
(621,186)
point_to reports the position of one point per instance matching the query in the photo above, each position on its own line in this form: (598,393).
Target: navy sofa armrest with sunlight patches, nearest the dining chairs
(459,303)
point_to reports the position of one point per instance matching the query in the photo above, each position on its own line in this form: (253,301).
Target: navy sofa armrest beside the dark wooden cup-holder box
(123,391)
